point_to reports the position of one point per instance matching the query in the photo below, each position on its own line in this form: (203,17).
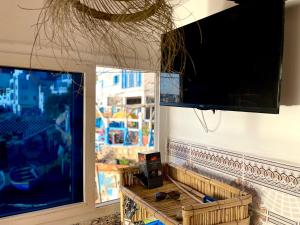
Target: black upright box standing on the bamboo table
(151,169)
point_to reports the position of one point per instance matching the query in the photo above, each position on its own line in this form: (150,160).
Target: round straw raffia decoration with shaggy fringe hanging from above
(112,27)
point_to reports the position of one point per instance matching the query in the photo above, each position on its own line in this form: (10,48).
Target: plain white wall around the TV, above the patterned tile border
(274,137)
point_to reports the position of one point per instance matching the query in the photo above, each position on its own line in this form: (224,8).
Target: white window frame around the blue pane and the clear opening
(86,210)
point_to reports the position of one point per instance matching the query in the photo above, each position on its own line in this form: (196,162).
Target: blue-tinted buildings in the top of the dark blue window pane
(21,91)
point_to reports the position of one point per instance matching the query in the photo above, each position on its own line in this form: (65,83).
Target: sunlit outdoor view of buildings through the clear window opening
(125,109)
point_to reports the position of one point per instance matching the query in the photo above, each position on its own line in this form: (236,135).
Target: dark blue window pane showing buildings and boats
(41,139)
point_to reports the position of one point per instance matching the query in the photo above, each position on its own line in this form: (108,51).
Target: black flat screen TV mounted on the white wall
(233,61)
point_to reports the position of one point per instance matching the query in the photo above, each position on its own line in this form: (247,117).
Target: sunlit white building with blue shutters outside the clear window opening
(117,87)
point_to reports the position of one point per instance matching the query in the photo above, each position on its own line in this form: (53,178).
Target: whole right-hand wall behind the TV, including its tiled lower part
(271,138)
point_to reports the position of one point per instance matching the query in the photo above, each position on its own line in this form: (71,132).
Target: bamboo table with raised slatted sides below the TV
(230,209)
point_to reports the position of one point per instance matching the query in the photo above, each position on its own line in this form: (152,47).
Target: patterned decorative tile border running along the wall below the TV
(277,176)
